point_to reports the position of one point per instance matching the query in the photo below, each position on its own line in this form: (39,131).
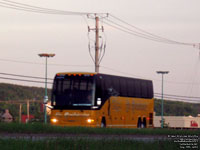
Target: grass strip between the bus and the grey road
(47,128)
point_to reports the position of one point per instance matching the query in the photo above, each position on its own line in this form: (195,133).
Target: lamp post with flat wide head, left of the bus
(46,96)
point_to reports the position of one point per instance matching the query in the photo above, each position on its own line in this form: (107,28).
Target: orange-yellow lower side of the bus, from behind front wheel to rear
(130,112)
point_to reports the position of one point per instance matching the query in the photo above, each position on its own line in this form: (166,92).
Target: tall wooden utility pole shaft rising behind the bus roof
(97,45)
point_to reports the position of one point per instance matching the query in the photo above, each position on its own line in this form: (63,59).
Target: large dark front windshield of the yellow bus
(73,90)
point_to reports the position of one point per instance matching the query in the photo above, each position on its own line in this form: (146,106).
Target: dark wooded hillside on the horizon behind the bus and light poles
(22,93)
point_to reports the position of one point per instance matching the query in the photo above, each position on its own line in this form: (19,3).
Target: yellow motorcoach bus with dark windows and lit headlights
(101,100)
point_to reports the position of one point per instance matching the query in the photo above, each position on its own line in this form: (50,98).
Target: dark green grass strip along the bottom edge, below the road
(84,144)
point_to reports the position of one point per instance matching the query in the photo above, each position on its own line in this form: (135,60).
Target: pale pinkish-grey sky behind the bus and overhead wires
(23,35)
